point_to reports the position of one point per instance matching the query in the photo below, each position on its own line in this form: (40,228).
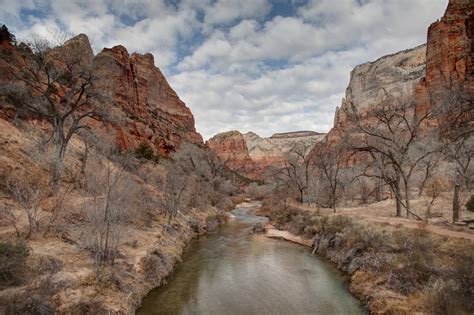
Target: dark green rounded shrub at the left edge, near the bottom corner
(12,261)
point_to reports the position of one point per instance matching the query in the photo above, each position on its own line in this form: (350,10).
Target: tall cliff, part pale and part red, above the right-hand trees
(423,75)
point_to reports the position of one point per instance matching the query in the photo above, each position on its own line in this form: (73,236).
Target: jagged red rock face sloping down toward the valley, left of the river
(154,112)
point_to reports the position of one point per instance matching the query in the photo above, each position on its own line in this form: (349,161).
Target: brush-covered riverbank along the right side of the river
(391,269)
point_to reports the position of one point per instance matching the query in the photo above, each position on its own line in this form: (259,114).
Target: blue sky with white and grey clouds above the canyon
(250,65)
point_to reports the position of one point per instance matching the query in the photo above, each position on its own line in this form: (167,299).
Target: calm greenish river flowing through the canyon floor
(236,272)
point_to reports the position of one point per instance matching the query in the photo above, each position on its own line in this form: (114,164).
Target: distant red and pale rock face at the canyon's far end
(251,155)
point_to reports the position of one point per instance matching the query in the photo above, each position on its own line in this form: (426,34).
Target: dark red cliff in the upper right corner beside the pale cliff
(449,64)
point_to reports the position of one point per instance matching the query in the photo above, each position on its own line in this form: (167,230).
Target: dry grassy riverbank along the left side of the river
(143,265)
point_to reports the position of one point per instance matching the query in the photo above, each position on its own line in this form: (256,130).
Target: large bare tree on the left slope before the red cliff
(56,85)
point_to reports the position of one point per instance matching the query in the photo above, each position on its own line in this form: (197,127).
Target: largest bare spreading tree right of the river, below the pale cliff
(391,138)
